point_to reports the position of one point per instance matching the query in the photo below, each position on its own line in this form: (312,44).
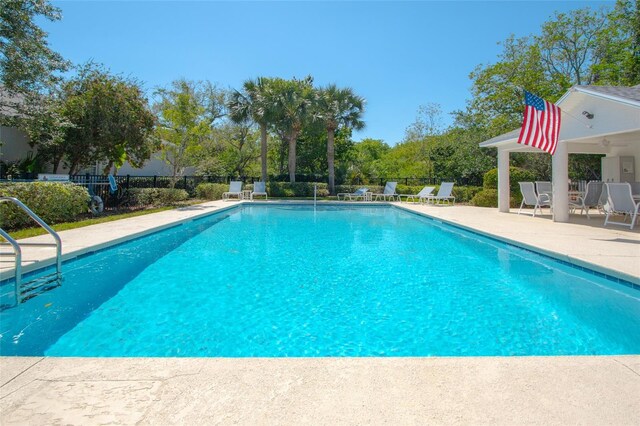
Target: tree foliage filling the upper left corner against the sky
(27,64)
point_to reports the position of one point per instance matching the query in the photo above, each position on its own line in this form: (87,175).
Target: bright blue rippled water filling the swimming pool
(337,281)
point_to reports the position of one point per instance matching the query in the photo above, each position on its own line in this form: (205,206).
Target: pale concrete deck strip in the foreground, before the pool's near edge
(327,391)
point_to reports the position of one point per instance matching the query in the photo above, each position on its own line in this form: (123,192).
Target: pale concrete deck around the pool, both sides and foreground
(474,390)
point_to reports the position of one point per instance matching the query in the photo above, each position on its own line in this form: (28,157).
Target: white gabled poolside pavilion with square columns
(595,120)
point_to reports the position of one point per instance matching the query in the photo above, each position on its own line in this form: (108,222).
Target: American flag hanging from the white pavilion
(541,124)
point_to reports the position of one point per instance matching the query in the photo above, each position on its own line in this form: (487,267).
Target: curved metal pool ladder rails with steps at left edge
(27,290)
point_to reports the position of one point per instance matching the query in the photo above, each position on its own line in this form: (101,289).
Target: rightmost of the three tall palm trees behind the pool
(337,108)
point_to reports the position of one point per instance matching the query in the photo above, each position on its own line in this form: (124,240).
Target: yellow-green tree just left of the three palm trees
(187,112)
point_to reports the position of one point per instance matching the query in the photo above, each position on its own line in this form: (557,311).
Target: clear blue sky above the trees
(398,55)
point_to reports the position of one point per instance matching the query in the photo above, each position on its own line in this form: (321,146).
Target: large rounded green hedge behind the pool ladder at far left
(54,202)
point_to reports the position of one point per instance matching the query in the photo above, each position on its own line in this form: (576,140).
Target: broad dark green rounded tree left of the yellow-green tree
(109,120)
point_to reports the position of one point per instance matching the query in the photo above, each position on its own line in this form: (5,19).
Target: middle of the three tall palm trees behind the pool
(291,100)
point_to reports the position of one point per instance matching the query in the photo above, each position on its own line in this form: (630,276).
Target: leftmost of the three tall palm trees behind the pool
(253,103)
